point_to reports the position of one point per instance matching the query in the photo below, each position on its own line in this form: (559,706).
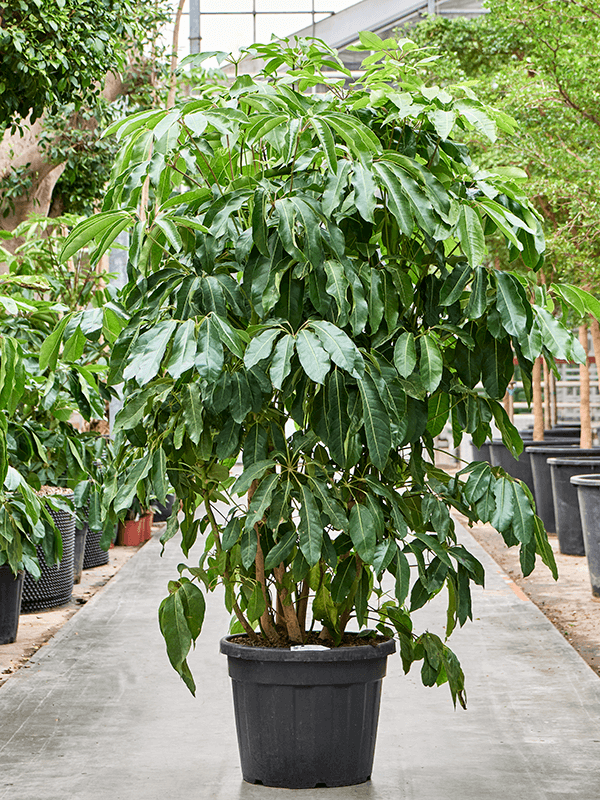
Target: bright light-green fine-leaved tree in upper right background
(538,61)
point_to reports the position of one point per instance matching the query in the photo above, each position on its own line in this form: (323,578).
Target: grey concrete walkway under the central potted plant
(98,714)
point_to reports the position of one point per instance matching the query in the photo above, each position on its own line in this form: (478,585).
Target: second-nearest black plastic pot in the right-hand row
(566,504)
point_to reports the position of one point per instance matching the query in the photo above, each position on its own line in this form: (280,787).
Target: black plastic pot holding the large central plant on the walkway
(306,718)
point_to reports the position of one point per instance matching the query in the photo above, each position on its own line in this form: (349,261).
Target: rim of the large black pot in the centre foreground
(356,653)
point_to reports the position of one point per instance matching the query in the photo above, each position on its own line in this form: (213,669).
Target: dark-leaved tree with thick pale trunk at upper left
(67,69)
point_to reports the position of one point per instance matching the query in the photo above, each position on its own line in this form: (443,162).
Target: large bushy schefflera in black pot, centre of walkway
(309,292)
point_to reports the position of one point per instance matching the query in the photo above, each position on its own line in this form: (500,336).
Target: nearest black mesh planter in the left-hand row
(55,586)
